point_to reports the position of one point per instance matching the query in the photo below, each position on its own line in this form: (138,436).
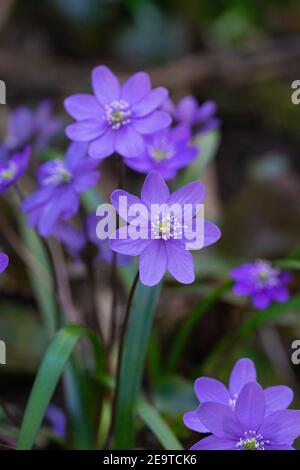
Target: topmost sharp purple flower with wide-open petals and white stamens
(118,117)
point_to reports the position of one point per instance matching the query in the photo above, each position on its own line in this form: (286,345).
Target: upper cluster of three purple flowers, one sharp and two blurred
(132,120)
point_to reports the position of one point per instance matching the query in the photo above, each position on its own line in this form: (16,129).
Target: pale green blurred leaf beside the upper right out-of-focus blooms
(208,145)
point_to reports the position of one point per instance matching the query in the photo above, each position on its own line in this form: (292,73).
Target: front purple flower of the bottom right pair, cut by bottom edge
(248,427)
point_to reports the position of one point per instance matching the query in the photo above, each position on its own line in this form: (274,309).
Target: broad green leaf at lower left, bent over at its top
(51,369)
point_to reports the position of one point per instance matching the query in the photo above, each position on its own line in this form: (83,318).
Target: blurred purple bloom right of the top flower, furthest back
(189,112)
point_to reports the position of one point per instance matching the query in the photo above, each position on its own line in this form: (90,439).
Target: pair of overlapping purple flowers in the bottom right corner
(244,416)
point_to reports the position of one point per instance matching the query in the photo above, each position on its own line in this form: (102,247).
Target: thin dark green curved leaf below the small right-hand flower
(190,322)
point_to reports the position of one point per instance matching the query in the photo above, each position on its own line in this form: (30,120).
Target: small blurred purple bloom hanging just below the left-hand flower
(72,239)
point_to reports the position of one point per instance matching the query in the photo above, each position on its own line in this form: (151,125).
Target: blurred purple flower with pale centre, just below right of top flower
(166,151)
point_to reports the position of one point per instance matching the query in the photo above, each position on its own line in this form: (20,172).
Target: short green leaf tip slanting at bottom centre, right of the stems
(158,426)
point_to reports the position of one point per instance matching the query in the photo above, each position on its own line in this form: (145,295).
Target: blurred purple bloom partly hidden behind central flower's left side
(105,253)
